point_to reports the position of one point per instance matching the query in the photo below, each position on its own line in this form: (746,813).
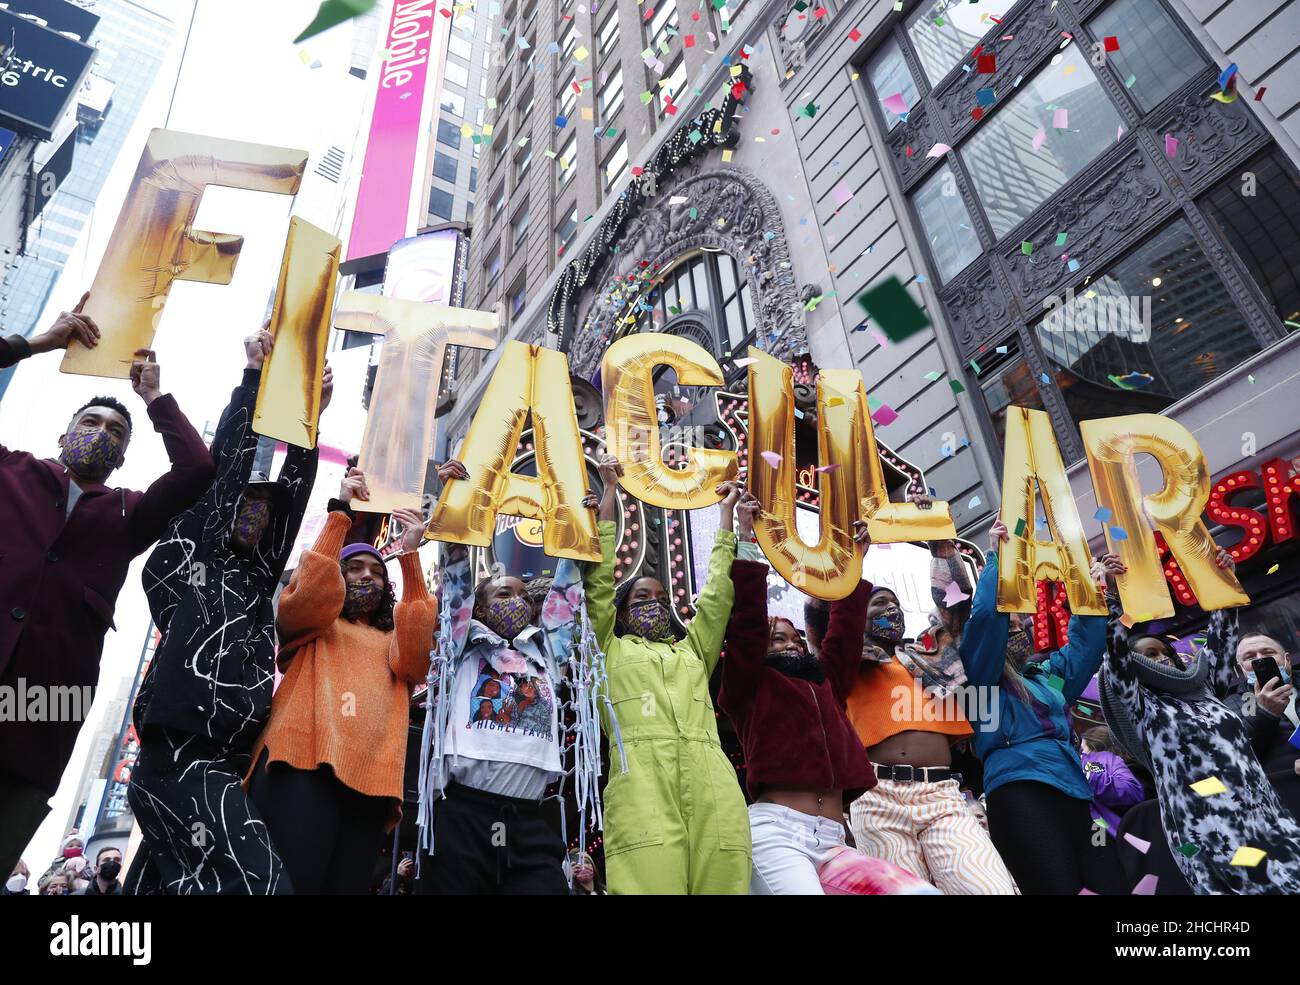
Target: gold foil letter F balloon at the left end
(155,242)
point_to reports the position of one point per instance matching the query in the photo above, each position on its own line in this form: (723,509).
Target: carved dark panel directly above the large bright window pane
(1035,32)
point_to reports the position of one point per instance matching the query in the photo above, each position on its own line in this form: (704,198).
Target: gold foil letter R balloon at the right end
(1113,445)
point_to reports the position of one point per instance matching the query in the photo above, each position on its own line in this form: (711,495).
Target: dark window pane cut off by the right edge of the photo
(1259,228)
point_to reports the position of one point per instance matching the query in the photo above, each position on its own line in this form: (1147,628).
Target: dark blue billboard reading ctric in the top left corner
(40,75)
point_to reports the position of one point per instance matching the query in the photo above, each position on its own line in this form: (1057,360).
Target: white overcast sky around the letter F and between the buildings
(242,80)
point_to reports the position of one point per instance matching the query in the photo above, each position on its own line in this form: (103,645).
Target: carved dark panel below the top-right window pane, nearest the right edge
(1211,137)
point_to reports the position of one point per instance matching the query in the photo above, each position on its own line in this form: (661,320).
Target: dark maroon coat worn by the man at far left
(60,576)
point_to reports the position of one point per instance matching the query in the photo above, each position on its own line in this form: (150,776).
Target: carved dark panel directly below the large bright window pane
(1100,220)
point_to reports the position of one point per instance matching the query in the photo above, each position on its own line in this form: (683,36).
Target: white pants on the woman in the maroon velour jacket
(790,848)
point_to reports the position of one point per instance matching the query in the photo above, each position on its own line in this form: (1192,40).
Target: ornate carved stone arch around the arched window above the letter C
(734,212)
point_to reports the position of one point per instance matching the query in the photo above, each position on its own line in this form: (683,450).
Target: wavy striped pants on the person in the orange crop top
(929,830)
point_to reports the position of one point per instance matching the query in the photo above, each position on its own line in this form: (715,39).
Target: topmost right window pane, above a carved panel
(1155,58)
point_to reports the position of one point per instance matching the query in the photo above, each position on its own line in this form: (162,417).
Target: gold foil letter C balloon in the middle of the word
(632,422)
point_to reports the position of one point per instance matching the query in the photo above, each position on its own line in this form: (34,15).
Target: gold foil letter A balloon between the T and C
(527,381)
